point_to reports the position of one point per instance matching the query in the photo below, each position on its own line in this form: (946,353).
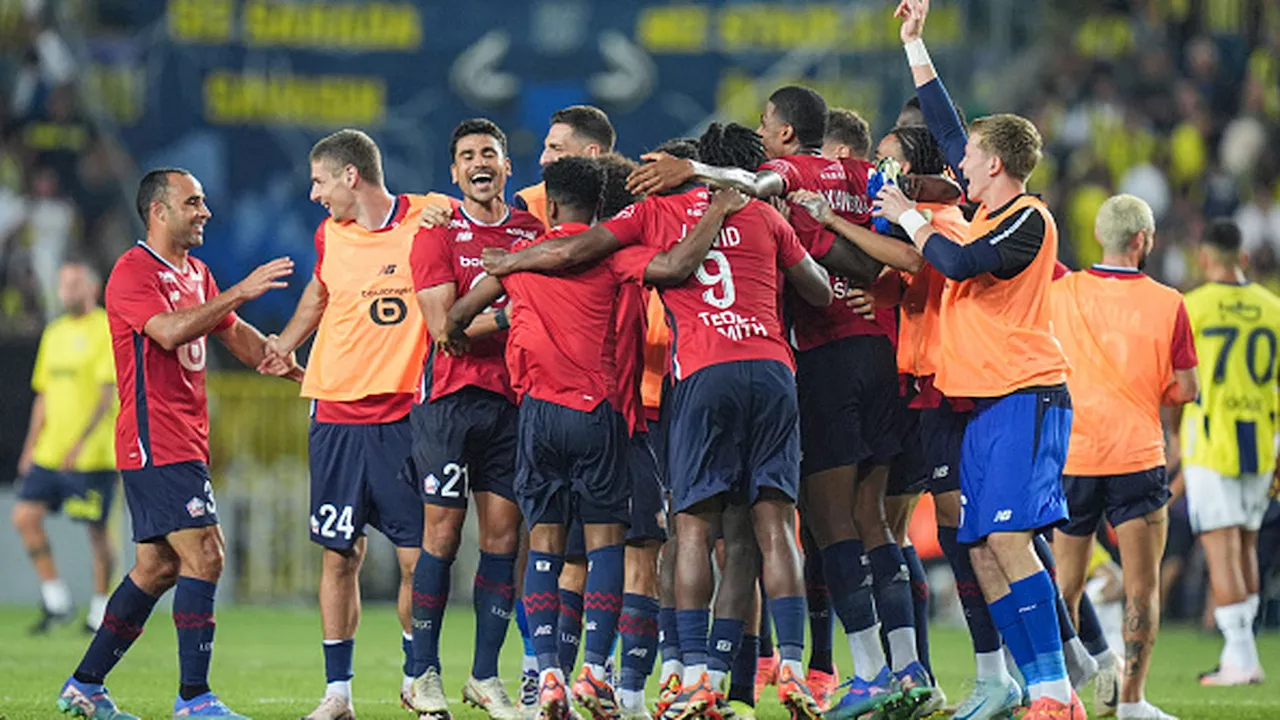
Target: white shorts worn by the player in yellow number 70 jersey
(1215,502)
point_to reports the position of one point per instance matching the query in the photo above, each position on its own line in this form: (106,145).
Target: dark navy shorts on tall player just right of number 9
(848,394)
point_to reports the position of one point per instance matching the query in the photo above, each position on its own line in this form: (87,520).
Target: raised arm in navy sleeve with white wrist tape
(936,104)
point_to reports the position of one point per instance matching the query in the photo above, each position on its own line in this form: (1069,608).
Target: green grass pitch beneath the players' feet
(268,666)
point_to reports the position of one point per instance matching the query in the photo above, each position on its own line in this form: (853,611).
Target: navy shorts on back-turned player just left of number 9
(570,464)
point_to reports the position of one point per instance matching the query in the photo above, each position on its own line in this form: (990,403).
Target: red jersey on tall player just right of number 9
(844,185)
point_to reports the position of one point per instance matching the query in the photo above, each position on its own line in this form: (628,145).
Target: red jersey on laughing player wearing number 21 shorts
(451,254)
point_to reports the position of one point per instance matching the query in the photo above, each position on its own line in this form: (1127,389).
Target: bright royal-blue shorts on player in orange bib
(1012,464)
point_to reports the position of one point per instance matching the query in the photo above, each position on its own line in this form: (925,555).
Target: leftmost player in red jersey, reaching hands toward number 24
(161,304)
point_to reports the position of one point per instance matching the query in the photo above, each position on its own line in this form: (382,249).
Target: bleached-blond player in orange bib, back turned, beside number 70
(1131,347)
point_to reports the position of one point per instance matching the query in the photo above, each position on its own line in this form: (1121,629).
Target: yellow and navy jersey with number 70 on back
(1232,429)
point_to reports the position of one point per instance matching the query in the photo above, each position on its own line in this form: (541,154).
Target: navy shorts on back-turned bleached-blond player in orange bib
(1122,498)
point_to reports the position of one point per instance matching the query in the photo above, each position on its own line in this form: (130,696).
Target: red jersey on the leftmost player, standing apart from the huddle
(164,412)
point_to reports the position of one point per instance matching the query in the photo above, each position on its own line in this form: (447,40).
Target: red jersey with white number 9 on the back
(729,309)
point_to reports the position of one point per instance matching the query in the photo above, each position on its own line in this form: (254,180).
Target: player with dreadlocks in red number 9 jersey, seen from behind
(733,443)
